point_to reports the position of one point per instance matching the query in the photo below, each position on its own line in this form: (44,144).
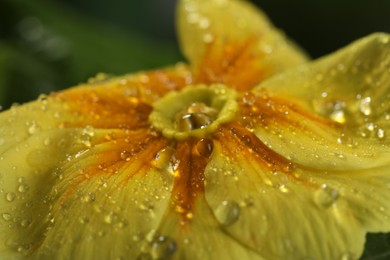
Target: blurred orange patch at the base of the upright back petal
(236,64)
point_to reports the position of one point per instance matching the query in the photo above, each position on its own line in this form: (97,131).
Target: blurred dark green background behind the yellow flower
(46,45)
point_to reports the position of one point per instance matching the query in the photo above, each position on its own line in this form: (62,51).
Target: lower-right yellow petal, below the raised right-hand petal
(291,212)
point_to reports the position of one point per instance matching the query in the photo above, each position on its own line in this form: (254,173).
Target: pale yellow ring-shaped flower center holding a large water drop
(194,111)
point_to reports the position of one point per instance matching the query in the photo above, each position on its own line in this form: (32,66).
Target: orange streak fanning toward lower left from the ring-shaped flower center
(126,155)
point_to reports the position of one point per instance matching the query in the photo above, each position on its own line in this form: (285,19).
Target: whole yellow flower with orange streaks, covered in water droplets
(248,152)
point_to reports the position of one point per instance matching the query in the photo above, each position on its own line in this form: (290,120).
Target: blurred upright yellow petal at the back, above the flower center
(231,42)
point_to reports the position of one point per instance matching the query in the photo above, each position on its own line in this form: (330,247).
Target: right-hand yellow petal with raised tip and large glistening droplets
(331,114)
